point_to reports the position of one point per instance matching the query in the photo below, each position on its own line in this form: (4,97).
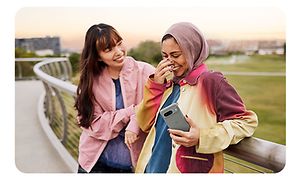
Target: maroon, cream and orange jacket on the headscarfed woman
(214,105)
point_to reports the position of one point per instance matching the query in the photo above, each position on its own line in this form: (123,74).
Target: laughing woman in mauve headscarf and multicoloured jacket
(213,109)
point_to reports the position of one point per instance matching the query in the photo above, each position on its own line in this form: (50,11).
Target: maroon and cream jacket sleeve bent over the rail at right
(234,121)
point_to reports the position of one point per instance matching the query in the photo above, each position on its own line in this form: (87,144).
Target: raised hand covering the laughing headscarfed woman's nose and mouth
(163,70)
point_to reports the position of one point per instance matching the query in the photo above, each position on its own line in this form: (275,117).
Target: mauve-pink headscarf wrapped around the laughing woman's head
(192,43)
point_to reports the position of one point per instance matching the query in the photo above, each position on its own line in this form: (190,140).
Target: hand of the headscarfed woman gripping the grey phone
(186,139)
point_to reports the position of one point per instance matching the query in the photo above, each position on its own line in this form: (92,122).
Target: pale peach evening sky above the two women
(136,24)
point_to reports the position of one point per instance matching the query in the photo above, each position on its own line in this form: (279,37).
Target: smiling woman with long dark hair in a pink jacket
(111,85)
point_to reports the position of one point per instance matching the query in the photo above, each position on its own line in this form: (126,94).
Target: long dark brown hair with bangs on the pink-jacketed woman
(98,38)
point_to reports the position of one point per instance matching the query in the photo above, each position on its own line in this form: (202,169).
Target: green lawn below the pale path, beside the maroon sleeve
(265,96)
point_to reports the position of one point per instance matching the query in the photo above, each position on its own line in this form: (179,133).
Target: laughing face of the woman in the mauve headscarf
(170,50)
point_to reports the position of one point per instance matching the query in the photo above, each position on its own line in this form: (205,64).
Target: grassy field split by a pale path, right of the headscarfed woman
(266,95)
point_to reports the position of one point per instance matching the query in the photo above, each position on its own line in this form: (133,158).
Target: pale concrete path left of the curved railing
(33,151)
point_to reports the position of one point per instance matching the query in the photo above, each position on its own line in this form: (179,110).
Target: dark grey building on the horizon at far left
(41,46)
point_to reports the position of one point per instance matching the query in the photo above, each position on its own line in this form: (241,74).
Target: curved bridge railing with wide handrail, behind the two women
(250,155)
